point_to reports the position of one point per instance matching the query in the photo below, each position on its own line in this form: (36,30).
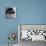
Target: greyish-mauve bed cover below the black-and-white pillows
(30,43)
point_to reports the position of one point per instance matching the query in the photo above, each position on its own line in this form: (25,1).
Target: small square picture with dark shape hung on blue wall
(10,12)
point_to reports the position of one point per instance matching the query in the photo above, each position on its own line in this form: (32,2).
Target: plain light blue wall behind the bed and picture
(28,12)
